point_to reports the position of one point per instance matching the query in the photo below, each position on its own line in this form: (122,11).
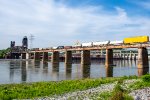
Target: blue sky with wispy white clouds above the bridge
(64,22)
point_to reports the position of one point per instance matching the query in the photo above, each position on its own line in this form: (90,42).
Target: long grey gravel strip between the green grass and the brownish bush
(83,95)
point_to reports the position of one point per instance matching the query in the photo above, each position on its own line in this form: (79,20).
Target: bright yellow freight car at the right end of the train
(137,39)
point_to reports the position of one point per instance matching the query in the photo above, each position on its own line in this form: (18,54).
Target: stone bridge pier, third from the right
(85,57)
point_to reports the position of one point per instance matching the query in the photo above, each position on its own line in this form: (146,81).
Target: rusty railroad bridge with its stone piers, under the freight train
(85,54)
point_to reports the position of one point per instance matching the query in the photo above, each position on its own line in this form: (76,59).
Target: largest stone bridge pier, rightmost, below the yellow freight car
(142,58)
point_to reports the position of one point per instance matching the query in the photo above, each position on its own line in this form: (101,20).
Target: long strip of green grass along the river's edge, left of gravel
(40,89)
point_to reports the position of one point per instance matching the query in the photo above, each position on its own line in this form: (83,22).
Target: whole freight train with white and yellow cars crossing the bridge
(130,40)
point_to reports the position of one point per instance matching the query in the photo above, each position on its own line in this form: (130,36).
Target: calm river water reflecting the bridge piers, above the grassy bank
(31,71)
